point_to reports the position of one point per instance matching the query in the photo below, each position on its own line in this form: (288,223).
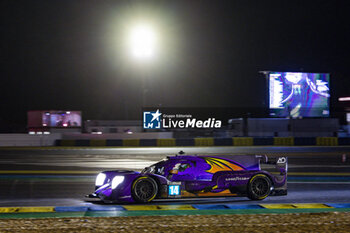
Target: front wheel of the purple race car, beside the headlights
(144,189)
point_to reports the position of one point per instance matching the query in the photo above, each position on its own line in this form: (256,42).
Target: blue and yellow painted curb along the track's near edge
(140,210)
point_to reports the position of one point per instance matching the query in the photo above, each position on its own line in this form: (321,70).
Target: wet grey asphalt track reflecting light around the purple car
(30,187)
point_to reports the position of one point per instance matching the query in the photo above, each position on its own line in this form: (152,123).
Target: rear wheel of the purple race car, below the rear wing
(259,187)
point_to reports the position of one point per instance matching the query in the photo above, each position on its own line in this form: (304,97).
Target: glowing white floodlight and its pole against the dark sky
(142,42)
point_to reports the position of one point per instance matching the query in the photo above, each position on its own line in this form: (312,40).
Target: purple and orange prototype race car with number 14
(194,176)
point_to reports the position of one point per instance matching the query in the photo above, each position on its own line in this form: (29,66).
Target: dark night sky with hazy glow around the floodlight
(71,55)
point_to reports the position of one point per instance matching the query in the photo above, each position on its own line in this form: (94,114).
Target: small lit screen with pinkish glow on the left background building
(61,119)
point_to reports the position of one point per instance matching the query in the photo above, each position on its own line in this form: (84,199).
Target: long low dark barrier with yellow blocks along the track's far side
(236,141)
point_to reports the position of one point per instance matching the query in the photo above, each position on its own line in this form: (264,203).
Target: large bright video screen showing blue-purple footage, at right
(296,95)
